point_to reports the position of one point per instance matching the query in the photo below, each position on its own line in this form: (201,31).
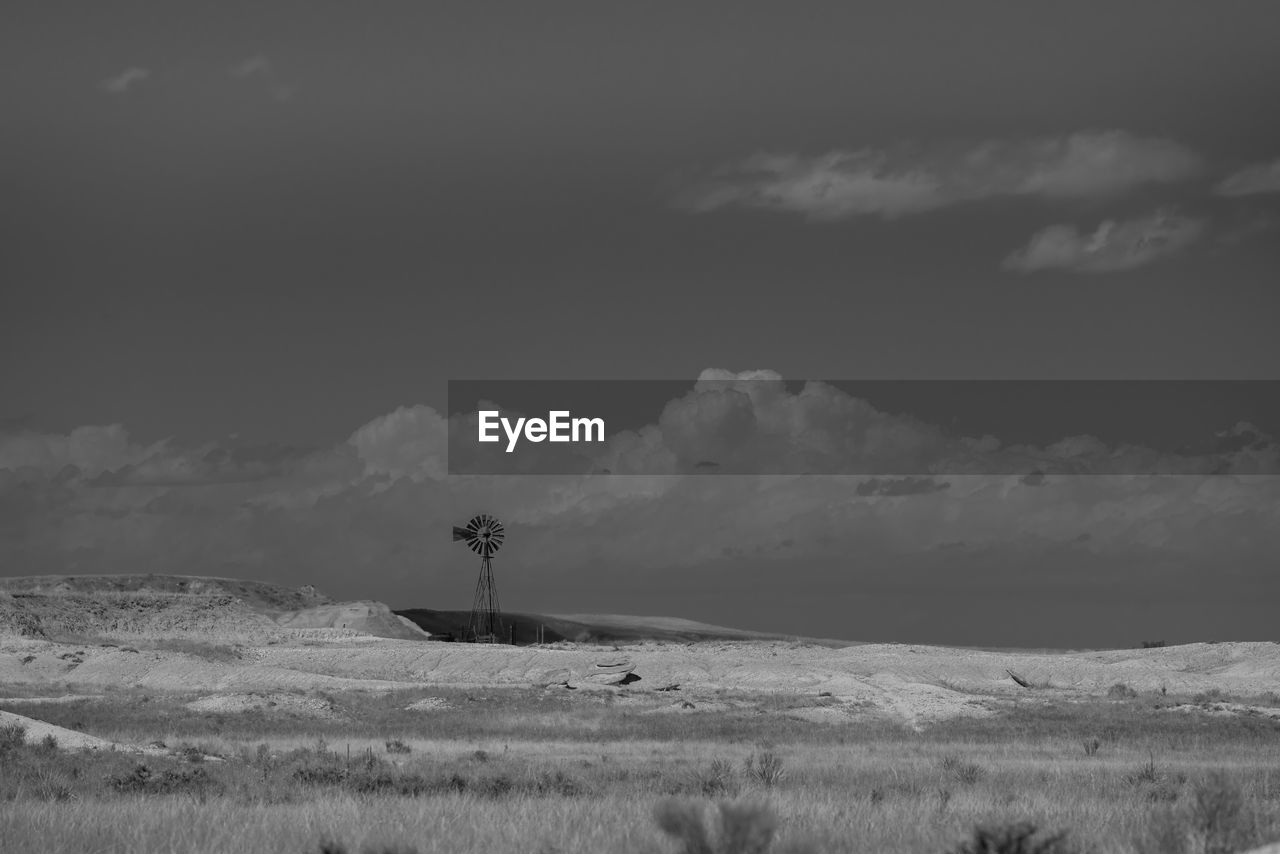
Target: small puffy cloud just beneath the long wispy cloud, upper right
(1113,246)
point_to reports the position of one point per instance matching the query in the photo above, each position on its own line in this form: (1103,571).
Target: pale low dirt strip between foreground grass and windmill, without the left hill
(912,683)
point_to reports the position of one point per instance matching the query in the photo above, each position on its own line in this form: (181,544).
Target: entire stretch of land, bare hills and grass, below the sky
(157,714)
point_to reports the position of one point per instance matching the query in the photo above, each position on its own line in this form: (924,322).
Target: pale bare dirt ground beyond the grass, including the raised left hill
(252,646)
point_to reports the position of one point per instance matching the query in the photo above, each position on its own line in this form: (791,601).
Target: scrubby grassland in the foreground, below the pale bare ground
(555,771)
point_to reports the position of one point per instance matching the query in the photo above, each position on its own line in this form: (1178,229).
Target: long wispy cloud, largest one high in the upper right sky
(915,180)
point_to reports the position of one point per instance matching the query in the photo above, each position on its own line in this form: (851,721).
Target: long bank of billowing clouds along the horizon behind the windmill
(371,515)
